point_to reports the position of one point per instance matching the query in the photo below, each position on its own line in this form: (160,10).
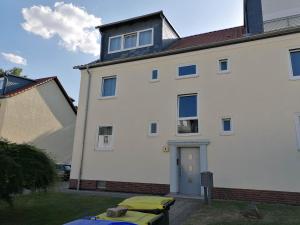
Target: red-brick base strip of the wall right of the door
(292,198)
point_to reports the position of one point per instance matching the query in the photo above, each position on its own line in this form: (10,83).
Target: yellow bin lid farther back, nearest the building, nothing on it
(147,203)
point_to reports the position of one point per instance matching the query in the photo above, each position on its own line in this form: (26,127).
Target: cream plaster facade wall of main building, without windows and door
(257,94)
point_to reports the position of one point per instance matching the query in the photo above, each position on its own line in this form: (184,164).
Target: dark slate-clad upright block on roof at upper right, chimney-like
(253,18)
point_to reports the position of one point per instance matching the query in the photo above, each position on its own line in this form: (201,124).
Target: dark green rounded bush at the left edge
(23,166)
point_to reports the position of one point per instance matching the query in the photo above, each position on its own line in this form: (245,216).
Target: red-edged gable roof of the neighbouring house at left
(39,82)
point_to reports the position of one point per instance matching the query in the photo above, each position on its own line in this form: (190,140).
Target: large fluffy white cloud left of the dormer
(73,25)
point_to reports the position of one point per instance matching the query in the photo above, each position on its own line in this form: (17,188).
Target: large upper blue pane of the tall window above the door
(188,106)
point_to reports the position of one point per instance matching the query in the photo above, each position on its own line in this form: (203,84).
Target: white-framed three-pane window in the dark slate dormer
(139,39)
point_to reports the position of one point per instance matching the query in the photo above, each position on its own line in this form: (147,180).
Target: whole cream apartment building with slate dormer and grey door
(152,116)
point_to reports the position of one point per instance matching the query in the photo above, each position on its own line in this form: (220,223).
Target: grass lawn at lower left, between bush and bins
(53,208)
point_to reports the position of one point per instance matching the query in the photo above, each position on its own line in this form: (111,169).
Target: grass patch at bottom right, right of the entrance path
(228,213)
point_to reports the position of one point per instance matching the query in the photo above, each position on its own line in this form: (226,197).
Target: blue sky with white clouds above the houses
(43,46)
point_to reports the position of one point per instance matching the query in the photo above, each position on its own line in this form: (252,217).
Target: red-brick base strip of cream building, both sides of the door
(218,193)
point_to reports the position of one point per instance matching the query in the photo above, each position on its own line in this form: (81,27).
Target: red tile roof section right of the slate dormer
(209,38)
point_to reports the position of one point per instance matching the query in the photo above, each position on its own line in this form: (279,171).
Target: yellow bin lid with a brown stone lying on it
(138,218)
